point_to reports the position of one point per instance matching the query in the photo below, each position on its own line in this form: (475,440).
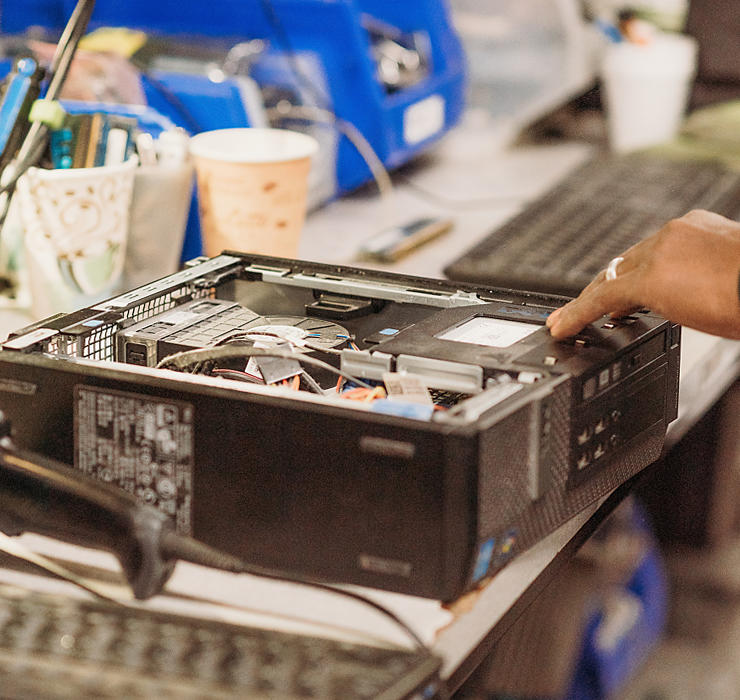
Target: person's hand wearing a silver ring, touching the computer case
(687,272)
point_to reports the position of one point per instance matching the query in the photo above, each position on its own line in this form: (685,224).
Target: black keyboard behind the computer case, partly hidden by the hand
(560,241)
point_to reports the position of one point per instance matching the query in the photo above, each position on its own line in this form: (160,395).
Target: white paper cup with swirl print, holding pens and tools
(76,225)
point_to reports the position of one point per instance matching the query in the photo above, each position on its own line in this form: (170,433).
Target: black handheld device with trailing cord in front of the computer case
(41,495)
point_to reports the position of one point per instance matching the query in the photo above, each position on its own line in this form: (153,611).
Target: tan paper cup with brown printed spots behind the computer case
(252,189)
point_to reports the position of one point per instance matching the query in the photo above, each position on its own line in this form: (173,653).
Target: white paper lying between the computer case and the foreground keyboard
(250,600)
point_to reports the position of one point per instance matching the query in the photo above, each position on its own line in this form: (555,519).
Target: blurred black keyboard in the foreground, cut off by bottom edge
(54,647)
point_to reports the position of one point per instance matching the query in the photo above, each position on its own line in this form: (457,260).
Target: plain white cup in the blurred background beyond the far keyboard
(646,90)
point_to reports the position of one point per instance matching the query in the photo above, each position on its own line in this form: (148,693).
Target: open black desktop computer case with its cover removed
(330,489)
